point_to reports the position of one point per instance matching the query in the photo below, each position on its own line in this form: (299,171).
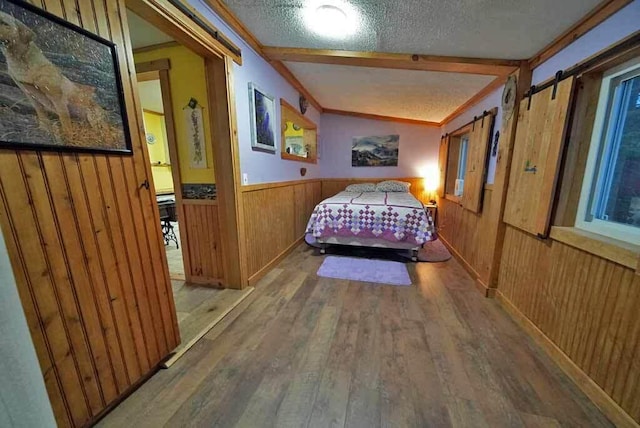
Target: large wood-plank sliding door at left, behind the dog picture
(85,244)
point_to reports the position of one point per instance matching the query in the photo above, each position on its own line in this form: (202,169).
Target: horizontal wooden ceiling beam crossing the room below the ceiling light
(449,64)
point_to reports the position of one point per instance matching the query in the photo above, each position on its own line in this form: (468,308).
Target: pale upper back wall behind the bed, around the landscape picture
(418,147)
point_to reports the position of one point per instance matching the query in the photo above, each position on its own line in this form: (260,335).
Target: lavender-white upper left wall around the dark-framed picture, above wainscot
(260,166)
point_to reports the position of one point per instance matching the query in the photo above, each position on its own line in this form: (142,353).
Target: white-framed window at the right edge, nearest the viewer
(610,198)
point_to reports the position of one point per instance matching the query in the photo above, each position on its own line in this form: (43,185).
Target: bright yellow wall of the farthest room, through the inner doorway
(159,152)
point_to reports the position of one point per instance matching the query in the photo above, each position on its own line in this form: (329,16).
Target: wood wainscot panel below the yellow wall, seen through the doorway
(204,251)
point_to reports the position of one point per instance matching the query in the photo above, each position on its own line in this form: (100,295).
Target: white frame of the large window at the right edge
(599,143)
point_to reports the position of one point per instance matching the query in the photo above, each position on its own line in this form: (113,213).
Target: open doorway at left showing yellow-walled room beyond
(173,93)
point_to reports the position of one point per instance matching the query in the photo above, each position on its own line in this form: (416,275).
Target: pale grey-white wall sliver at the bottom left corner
(23,397)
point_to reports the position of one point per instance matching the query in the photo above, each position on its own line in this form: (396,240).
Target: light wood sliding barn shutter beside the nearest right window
(537,151)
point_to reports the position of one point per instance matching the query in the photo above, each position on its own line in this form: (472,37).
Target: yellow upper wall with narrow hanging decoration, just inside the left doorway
(187,78)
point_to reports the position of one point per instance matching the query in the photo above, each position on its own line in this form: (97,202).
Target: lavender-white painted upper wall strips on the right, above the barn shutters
(618,26)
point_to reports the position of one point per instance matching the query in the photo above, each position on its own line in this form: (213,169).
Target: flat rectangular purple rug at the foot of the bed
(365,270)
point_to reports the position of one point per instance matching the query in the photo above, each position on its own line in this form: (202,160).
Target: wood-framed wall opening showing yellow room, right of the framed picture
(299,135)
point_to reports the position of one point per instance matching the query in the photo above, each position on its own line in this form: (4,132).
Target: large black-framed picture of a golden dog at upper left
(60,85)
